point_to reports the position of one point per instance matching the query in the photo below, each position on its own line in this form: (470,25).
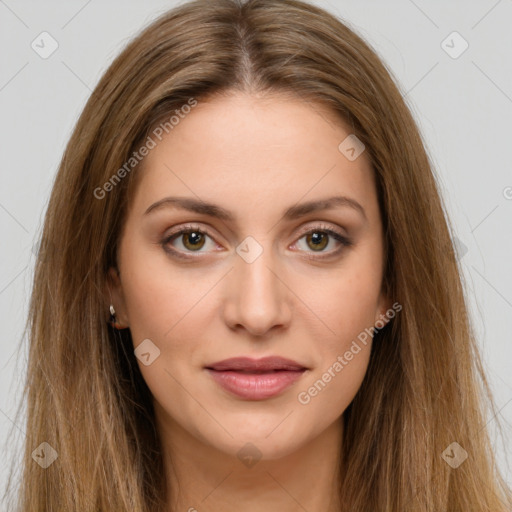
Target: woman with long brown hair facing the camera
(249,294)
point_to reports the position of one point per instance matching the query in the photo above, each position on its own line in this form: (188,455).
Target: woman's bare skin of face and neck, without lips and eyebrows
(255,156)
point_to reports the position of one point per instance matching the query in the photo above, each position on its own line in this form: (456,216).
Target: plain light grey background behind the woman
(463,107)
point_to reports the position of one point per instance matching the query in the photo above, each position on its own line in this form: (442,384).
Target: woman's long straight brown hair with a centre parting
(424,389)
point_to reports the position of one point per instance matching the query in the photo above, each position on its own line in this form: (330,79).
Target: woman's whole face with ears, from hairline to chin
(257,275)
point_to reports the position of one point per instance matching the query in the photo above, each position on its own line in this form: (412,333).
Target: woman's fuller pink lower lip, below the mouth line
(256,386)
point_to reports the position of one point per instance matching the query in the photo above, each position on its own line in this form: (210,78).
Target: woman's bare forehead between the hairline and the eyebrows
(245,152)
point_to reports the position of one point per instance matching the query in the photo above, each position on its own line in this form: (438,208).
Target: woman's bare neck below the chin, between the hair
(203,478)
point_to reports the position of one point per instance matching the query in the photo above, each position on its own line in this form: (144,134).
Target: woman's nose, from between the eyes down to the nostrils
(257,298)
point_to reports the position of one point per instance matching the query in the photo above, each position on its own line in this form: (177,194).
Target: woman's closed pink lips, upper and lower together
(256,379)
